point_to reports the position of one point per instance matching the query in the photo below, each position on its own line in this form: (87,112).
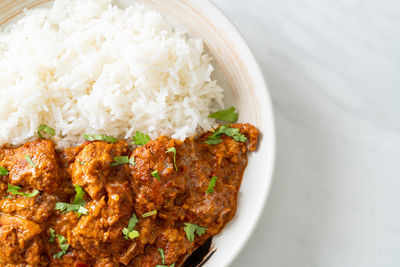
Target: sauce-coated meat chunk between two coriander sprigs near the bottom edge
(99,233)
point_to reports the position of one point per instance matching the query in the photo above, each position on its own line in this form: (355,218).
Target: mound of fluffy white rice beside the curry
(86,66)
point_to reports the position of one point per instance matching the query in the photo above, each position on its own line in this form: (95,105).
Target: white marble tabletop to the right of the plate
(333,69)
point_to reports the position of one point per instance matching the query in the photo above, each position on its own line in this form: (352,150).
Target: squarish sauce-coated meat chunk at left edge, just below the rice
(41,173)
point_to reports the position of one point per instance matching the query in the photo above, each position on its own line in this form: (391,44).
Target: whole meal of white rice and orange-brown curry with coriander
(110,149)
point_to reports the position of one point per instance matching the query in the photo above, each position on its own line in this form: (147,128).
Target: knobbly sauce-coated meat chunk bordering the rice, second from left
(92,167)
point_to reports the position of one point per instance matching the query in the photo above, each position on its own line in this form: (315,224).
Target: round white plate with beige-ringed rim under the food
(238,72)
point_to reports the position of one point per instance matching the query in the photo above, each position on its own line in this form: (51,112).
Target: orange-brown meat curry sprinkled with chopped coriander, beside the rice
(106,203)
